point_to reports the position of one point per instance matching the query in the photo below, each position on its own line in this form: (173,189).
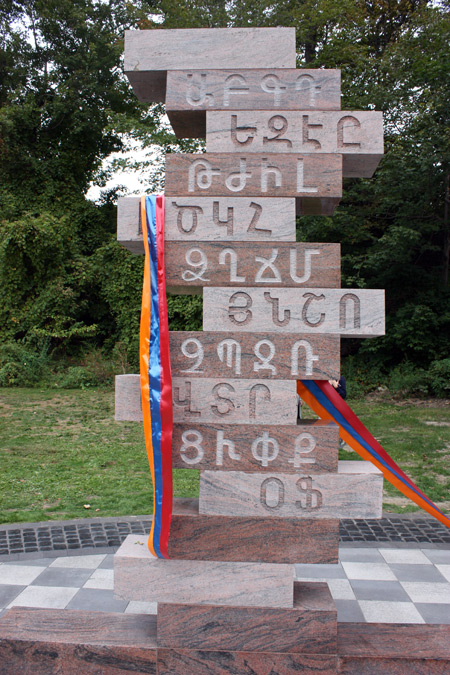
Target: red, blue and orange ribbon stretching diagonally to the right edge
(324,400)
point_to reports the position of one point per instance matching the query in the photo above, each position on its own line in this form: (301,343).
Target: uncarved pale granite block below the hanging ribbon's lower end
(140,576)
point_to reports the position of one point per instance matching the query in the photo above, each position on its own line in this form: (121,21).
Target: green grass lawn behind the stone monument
(63,455)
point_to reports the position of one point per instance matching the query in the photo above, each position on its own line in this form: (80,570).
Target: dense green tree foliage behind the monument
(65,106)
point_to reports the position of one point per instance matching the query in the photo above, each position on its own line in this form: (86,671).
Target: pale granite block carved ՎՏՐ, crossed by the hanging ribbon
(210,400)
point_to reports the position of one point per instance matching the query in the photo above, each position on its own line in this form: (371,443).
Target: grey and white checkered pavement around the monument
(373,584)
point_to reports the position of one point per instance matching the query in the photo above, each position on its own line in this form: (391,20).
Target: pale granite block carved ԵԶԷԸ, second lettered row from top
(357,135)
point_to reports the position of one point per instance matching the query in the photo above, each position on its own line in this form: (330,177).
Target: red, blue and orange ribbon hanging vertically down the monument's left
(156,379)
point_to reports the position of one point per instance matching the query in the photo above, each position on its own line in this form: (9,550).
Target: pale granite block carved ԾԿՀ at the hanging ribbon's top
(225,219)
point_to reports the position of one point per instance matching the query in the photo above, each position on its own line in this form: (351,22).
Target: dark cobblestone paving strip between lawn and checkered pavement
(106,534)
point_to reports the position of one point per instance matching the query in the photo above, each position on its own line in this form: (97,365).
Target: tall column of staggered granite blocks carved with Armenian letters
(271,487)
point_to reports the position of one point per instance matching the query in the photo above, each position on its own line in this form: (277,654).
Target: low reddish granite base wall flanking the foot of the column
(71,642)
